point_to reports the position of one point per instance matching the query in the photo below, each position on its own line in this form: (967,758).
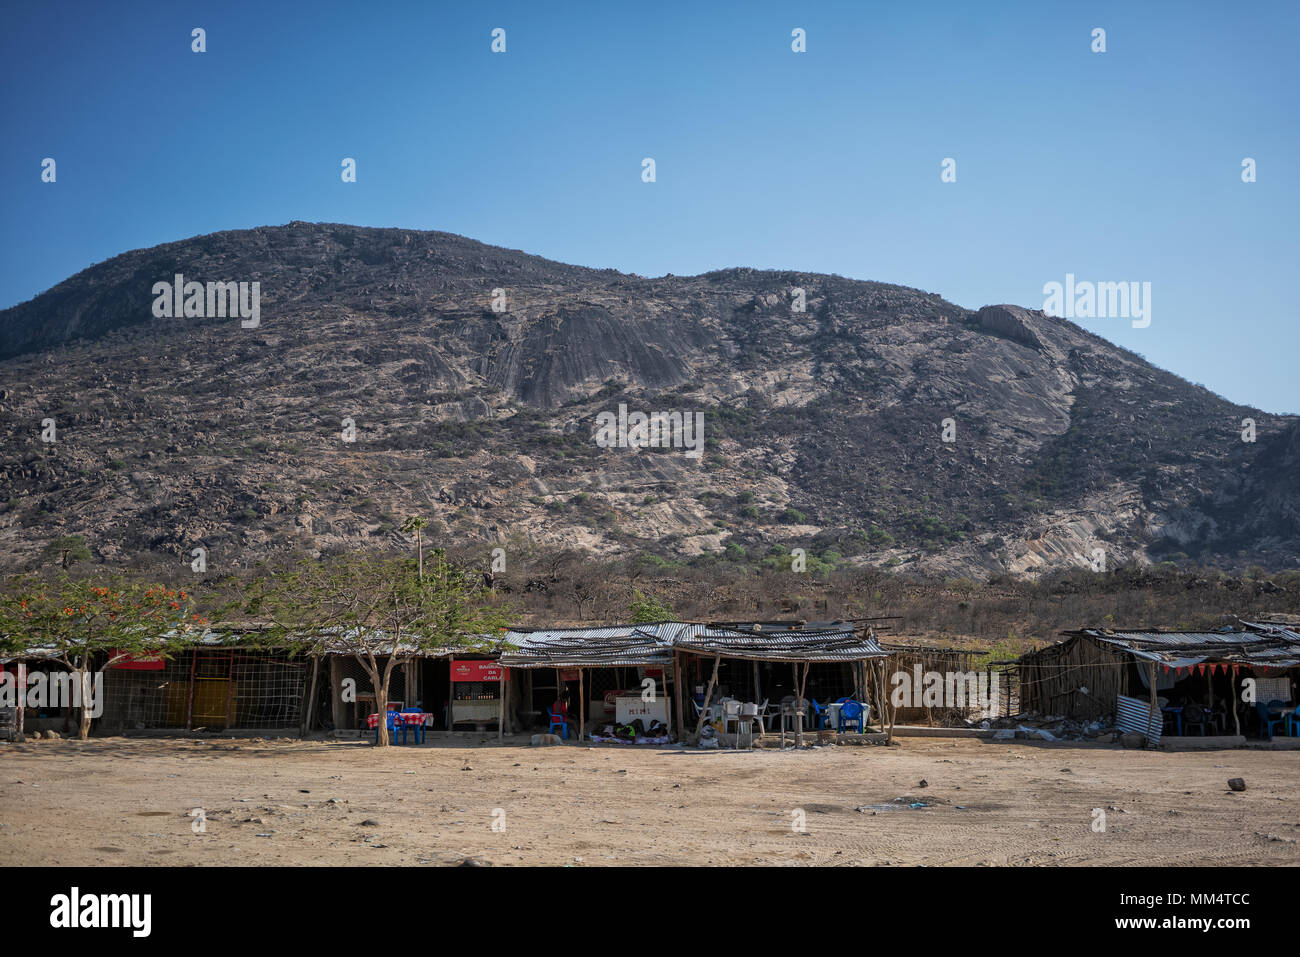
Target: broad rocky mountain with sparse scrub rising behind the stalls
(471,380)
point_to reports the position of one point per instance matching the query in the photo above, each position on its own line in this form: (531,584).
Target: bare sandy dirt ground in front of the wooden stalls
(129,802)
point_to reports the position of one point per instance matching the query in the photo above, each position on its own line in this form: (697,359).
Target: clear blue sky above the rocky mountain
(1115,167)
